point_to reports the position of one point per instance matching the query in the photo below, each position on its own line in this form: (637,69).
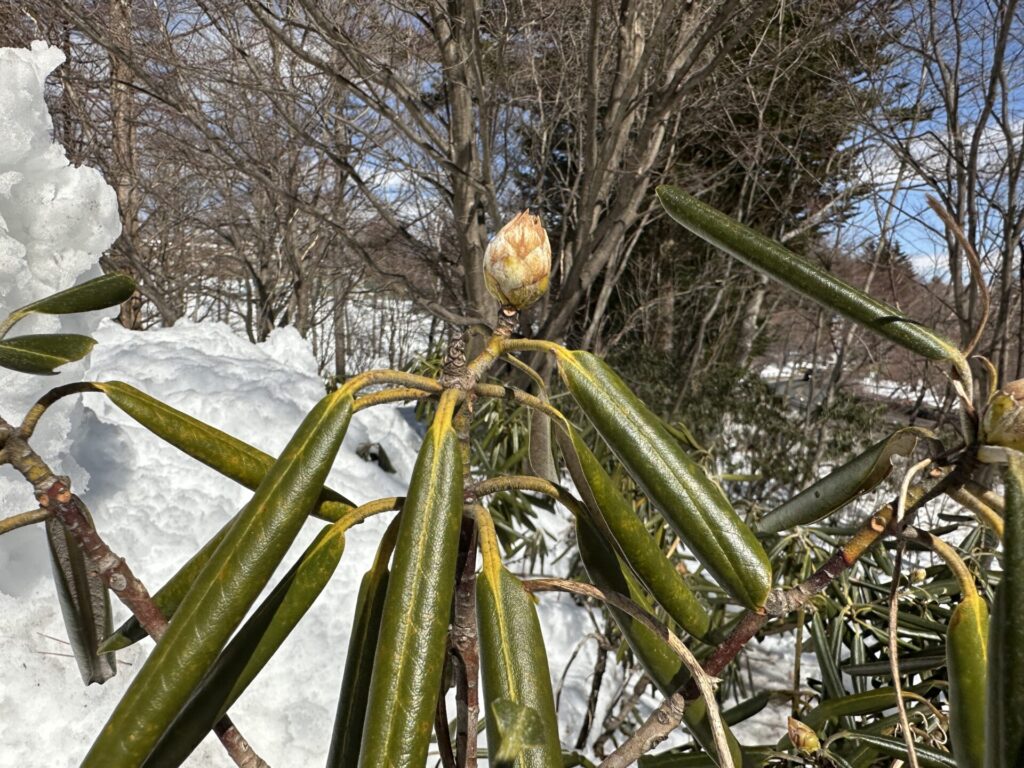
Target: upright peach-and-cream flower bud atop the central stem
(518,263)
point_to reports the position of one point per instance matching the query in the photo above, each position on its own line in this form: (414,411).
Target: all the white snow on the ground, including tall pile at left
(156,506)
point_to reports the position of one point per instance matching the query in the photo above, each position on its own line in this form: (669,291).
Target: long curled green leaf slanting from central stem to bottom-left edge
(226,589)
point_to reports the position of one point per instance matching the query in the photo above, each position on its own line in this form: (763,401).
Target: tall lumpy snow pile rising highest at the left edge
(56,221)
